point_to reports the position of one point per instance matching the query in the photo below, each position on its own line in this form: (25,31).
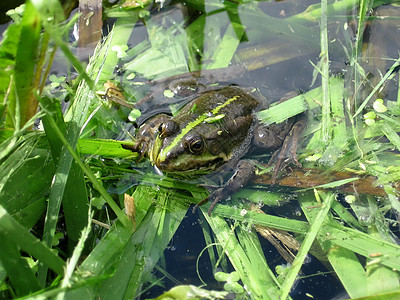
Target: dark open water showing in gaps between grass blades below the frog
(188,242)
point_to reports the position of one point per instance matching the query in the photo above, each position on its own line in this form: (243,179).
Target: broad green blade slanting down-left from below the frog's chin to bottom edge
(146,245)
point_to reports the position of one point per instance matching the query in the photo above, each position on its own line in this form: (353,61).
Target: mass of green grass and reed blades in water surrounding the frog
(80,217)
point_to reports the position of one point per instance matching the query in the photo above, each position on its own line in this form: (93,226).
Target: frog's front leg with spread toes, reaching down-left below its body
(243,174)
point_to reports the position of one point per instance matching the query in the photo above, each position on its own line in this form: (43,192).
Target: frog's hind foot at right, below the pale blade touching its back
(287,153)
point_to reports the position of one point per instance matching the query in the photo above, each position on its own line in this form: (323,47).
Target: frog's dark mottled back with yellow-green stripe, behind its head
(229,119)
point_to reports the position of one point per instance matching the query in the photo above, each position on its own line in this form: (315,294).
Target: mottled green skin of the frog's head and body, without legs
(226,134)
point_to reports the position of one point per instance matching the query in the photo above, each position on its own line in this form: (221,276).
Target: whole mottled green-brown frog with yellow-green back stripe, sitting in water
(217,127)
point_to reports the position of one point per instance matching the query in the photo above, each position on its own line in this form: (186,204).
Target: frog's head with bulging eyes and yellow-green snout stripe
(184,151)
